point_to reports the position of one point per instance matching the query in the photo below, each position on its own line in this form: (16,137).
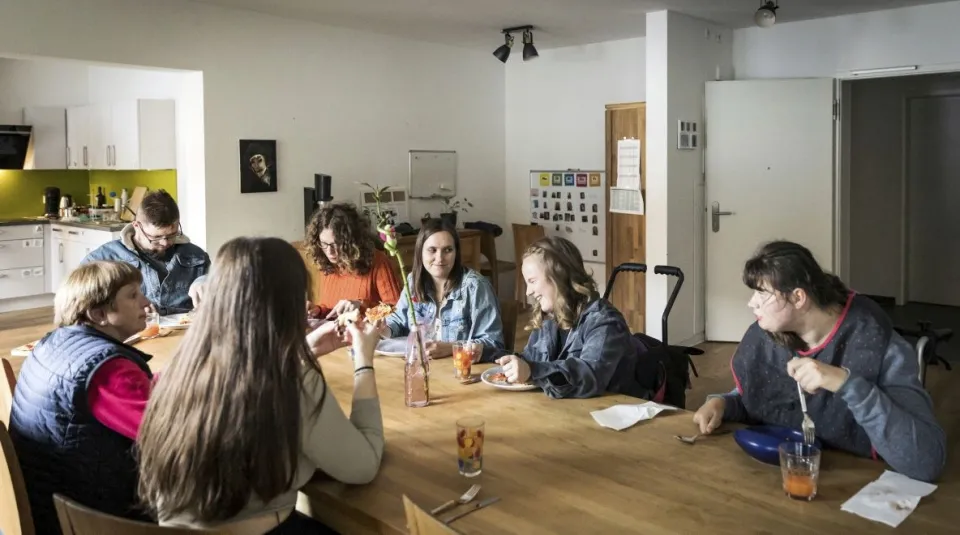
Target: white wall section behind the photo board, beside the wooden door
(555,117)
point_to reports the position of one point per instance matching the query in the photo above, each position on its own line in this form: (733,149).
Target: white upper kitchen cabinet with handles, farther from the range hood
(128,135)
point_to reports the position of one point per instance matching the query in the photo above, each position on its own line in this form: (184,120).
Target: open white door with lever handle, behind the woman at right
(769,163)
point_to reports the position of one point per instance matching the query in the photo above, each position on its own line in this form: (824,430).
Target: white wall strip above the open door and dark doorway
(923,35)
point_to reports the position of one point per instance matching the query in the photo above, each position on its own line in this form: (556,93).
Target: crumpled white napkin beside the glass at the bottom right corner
(890,499)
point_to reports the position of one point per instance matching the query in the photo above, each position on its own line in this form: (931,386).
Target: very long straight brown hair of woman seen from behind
(223,423)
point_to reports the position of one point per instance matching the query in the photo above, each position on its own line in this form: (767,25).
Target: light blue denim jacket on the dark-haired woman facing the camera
(472,304)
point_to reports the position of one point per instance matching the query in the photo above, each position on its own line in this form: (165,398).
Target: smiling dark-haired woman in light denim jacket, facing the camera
(451,300)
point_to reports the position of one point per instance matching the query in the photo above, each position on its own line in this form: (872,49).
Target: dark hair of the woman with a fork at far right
(786,266)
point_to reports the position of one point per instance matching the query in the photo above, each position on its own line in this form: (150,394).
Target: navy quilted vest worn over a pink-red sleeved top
(62,447)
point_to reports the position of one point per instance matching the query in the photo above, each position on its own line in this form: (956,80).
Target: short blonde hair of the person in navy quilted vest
(91,286)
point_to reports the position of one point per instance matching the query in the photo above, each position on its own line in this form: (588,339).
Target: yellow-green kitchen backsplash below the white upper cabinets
(21,192)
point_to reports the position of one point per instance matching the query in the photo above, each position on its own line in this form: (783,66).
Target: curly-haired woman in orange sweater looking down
(353,273)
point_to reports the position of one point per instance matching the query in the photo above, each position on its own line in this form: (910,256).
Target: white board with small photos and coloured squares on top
(572,204)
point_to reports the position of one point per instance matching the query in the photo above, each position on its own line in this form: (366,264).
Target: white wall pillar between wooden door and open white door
(683,53)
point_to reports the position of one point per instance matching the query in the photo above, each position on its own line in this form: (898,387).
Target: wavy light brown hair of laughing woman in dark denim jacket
(563,267)
